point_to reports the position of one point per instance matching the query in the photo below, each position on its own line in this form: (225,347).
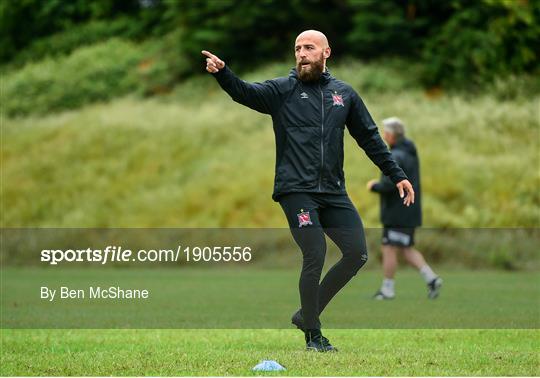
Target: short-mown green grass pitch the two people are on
(214,299)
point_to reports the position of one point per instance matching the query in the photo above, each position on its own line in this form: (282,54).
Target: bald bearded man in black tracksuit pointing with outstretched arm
(310,110)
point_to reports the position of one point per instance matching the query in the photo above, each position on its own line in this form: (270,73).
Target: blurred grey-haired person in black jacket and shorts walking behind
(399,221)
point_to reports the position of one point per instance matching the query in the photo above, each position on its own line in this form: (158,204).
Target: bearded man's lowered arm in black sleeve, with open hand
(364,130)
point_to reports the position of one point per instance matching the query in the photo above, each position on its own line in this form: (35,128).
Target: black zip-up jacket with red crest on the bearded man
(309,121)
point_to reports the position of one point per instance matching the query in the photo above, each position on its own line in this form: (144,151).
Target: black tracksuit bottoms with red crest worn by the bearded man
(310,217)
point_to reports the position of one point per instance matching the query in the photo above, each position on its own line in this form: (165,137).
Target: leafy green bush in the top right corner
(483,41)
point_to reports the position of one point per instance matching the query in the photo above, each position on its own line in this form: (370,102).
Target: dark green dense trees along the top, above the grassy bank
(458,41)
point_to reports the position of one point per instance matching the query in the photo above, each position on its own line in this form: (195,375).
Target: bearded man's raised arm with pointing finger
(262,97)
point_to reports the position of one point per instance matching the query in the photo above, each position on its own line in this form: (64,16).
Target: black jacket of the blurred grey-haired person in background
(393,213)
